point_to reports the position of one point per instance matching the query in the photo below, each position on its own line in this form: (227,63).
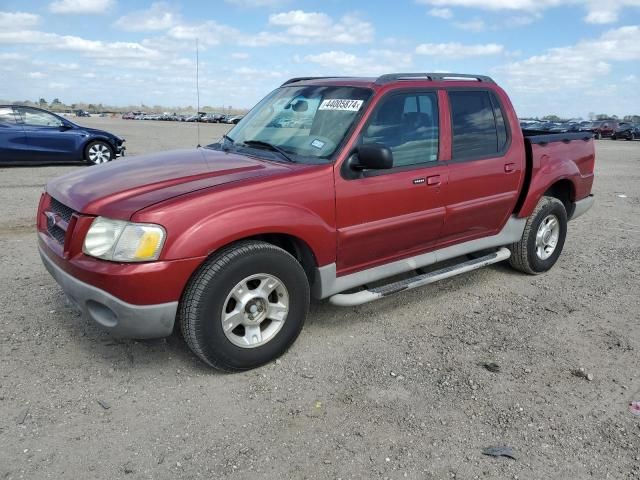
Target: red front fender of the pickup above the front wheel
(299,202)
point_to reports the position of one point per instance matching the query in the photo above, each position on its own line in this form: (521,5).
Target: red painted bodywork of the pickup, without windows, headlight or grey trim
(207,199)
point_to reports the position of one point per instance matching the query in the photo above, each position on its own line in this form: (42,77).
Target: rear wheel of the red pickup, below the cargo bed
(528,255)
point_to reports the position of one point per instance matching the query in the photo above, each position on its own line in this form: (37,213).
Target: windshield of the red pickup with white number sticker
(303,124)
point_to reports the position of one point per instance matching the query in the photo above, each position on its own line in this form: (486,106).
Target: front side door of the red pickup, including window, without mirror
(386,215)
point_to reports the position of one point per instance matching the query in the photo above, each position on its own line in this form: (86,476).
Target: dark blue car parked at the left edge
(31,135)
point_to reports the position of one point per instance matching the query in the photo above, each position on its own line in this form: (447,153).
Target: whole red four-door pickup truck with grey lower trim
(329,187)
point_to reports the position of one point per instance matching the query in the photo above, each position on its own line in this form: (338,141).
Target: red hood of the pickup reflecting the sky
(119,189)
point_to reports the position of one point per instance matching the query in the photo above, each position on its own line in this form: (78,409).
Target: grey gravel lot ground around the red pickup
(391,389)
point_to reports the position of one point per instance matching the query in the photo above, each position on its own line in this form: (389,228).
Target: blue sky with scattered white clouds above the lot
(568,57)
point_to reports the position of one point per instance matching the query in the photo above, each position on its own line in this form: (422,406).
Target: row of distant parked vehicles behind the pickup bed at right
(600,128)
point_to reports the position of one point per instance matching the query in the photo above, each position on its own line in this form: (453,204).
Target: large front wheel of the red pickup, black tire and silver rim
(241,271)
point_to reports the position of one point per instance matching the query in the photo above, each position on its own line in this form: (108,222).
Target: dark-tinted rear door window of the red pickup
(479,128)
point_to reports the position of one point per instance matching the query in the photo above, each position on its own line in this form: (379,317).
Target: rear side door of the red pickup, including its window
(484,172)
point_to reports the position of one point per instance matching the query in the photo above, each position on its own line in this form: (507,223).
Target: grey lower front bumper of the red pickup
(118,317)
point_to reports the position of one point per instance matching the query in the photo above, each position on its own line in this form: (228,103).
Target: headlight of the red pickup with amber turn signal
(122,241)
